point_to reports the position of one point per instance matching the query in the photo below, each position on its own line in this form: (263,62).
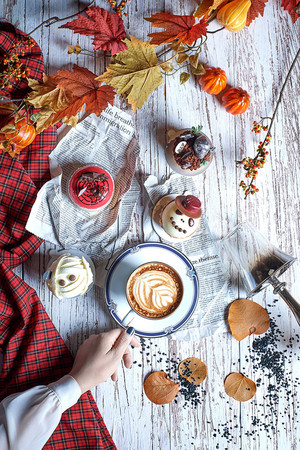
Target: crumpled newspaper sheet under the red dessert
(109,142)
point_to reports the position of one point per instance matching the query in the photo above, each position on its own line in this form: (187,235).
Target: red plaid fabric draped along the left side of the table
(33,351)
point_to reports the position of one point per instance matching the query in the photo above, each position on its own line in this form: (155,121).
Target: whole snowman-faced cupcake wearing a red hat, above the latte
(180,218)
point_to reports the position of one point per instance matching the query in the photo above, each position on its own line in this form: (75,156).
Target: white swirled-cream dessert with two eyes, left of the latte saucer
(71,276)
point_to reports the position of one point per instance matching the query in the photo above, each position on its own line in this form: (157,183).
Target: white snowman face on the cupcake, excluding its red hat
(170,219)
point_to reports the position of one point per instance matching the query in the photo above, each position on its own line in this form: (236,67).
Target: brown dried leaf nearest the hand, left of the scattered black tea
(159,388)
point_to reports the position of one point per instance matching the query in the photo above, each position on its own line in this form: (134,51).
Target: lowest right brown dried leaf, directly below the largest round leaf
(239,387)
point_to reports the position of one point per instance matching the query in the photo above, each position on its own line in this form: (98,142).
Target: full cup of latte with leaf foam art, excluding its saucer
(154,290)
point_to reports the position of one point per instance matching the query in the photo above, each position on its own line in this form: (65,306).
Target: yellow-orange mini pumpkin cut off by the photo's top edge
(233,15)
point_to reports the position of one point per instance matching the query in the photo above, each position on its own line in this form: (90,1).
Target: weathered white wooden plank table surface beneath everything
(256,59)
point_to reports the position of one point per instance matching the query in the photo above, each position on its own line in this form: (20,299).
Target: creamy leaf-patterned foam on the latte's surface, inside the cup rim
(155,291)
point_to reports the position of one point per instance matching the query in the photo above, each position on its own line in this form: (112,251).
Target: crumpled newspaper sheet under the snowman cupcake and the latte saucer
(215,291)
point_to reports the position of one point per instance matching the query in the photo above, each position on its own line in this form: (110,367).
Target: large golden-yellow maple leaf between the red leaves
(135,72)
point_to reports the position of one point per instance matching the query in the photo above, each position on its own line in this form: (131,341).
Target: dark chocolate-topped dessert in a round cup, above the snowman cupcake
(189,152)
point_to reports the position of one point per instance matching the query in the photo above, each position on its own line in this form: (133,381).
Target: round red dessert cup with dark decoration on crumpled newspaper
(91,187)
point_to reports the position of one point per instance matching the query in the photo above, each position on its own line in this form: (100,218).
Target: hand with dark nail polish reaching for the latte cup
(99,356)
